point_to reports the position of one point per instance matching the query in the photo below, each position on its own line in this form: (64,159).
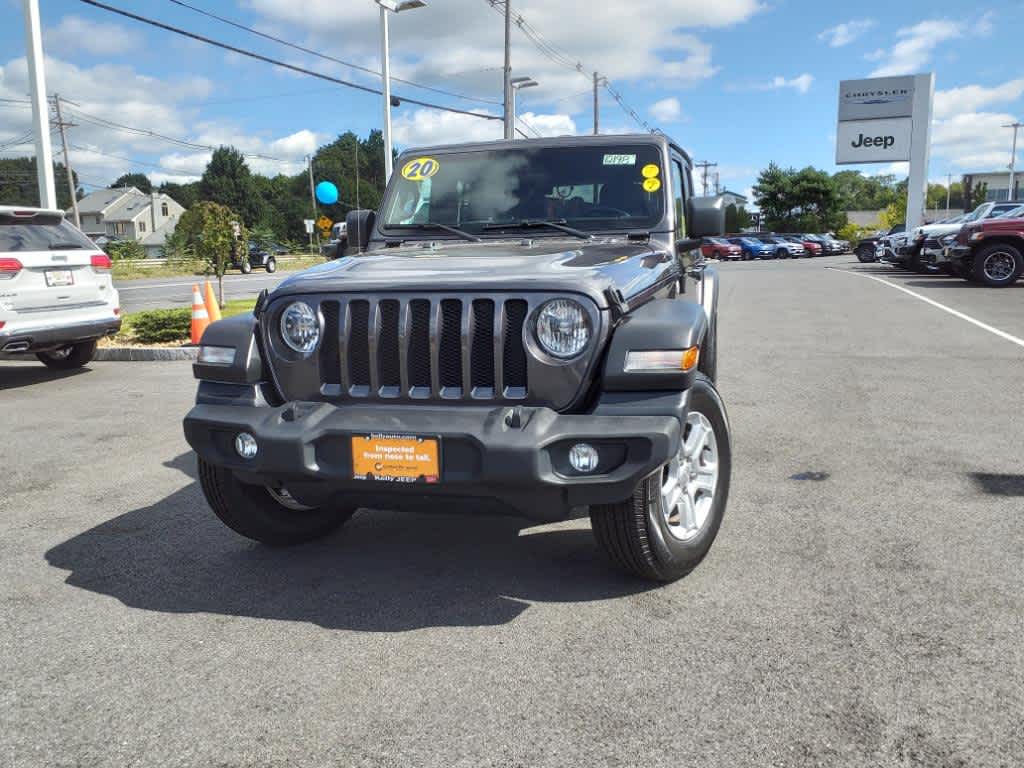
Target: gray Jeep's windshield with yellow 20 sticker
(509,191)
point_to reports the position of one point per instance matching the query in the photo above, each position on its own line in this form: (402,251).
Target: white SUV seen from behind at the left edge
(57,296)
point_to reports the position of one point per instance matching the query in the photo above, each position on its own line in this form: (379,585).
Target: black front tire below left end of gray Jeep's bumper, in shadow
(264,515)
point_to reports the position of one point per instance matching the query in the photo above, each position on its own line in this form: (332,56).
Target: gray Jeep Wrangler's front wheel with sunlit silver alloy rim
(666,529)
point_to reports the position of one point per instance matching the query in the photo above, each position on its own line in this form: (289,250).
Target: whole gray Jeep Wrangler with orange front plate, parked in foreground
(524,327)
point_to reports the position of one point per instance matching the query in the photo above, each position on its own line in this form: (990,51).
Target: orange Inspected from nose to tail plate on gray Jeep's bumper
(396,458)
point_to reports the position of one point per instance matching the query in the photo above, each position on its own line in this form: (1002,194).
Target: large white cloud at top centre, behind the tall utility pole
(465,40)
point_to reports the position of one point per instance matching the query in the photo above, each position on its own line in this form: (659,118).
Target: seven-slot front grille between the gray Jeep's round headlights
(424,348)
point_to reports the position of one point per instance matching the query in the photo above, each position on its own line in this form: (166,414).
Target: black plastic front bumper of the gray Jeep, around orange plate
(502,459)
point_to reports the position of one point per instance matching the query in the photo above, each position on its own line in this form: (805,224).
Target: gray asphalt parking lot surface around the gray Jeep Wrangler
(863,605)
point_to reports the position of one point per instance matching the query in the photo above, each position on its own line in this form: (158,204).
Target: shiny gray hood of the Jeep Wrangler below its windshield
(539,265)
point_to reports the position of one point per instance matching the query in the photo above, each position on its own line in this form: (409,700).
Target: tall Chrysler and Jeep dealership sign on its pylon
(888,120)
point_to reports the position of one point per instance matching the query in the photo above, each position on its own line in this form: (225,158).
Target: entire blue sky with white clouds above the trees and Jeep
(739,82)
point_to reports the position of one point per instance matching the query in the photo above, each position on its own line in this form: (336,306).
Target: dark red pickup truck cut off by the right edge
(990,251)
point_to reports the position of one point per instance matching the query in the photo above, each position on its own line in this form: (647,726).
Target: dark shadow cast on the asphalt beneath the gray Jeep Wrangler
(383,572)
